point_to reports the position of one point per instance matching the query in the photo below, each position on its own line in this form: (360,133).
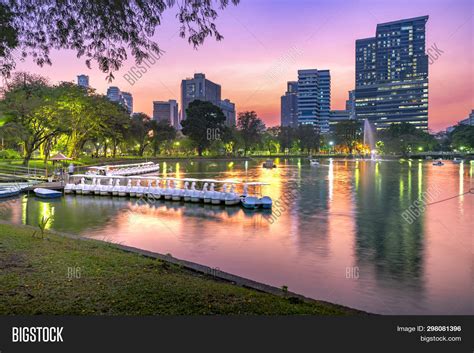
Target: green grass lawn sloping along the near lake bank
(34,280)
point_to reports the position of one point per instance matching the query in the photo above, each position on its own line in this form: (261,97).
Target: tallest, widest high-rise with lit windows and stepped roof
(392,74)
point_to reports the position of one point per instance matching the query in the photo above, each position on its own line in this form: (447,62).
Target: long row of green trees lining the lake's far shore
(38,119)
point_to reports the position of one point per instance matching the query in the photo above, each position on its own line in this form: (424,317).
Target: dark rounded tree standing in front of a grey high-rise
(202,117)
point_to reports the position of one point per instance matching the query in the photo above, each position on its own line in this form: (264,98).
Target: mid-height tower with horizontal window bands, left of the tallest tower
(314,98)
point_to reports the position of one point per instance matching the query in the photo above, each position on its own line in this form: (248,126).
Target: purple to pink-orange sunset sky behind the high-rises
(267,41)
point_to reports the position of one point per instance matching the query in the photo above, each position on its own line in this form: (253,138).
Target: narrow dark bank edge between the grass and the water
(214,273)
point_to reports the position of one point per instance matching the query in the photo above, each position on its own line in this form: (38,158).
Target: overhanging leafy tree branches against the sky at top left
(100,31)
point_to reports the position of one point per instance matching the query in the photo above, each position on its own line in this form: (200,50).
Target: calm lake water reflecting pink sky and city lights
(342,239)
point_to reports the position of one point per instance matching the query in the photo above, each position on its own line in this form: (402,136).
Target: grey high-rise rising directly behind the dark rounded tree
(198,88)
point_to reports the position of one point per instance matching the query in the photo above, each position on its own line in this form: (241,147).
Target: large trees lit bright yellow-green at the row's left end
(42,117)
